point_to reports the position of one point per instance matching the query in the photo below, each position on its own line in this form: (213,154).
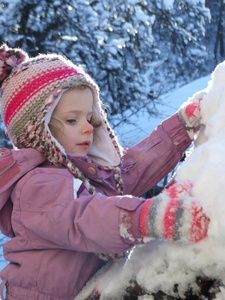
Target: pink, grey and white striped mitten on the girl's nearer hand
(174,215)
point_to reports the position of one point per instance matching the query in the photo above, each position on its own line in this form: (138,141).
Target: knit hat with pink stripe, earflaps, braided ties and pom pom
(30,90)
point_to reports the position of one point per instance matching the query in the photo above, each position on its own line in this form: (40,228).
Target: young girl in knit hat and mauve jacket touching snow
(70,194)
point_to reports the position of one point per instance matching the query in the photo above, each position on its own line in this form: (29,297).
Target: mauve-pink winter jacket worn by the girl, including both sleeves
(56,226)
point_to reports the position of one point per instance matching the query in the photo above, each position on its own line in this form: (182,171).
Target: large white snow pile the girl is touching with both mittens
(159,265)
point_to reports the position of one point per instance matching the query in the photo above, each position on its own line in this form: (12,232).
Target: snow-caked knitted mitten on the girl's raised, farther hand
(190,113)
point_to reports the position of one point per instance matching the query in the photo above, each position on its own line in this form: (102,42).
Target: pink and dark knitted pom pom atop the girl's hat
(9,58)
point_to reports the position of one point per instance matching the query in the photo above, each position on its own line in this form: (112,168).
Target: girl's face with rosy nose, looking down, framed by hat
(74,114)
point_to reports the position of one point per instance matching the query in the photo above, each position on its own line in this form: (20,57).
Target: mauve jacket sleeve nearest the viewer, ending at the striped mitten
(48,214)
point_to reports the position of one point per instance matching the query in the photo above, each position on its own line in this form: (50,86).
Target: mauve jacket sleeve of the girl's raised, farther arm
(149,161)
